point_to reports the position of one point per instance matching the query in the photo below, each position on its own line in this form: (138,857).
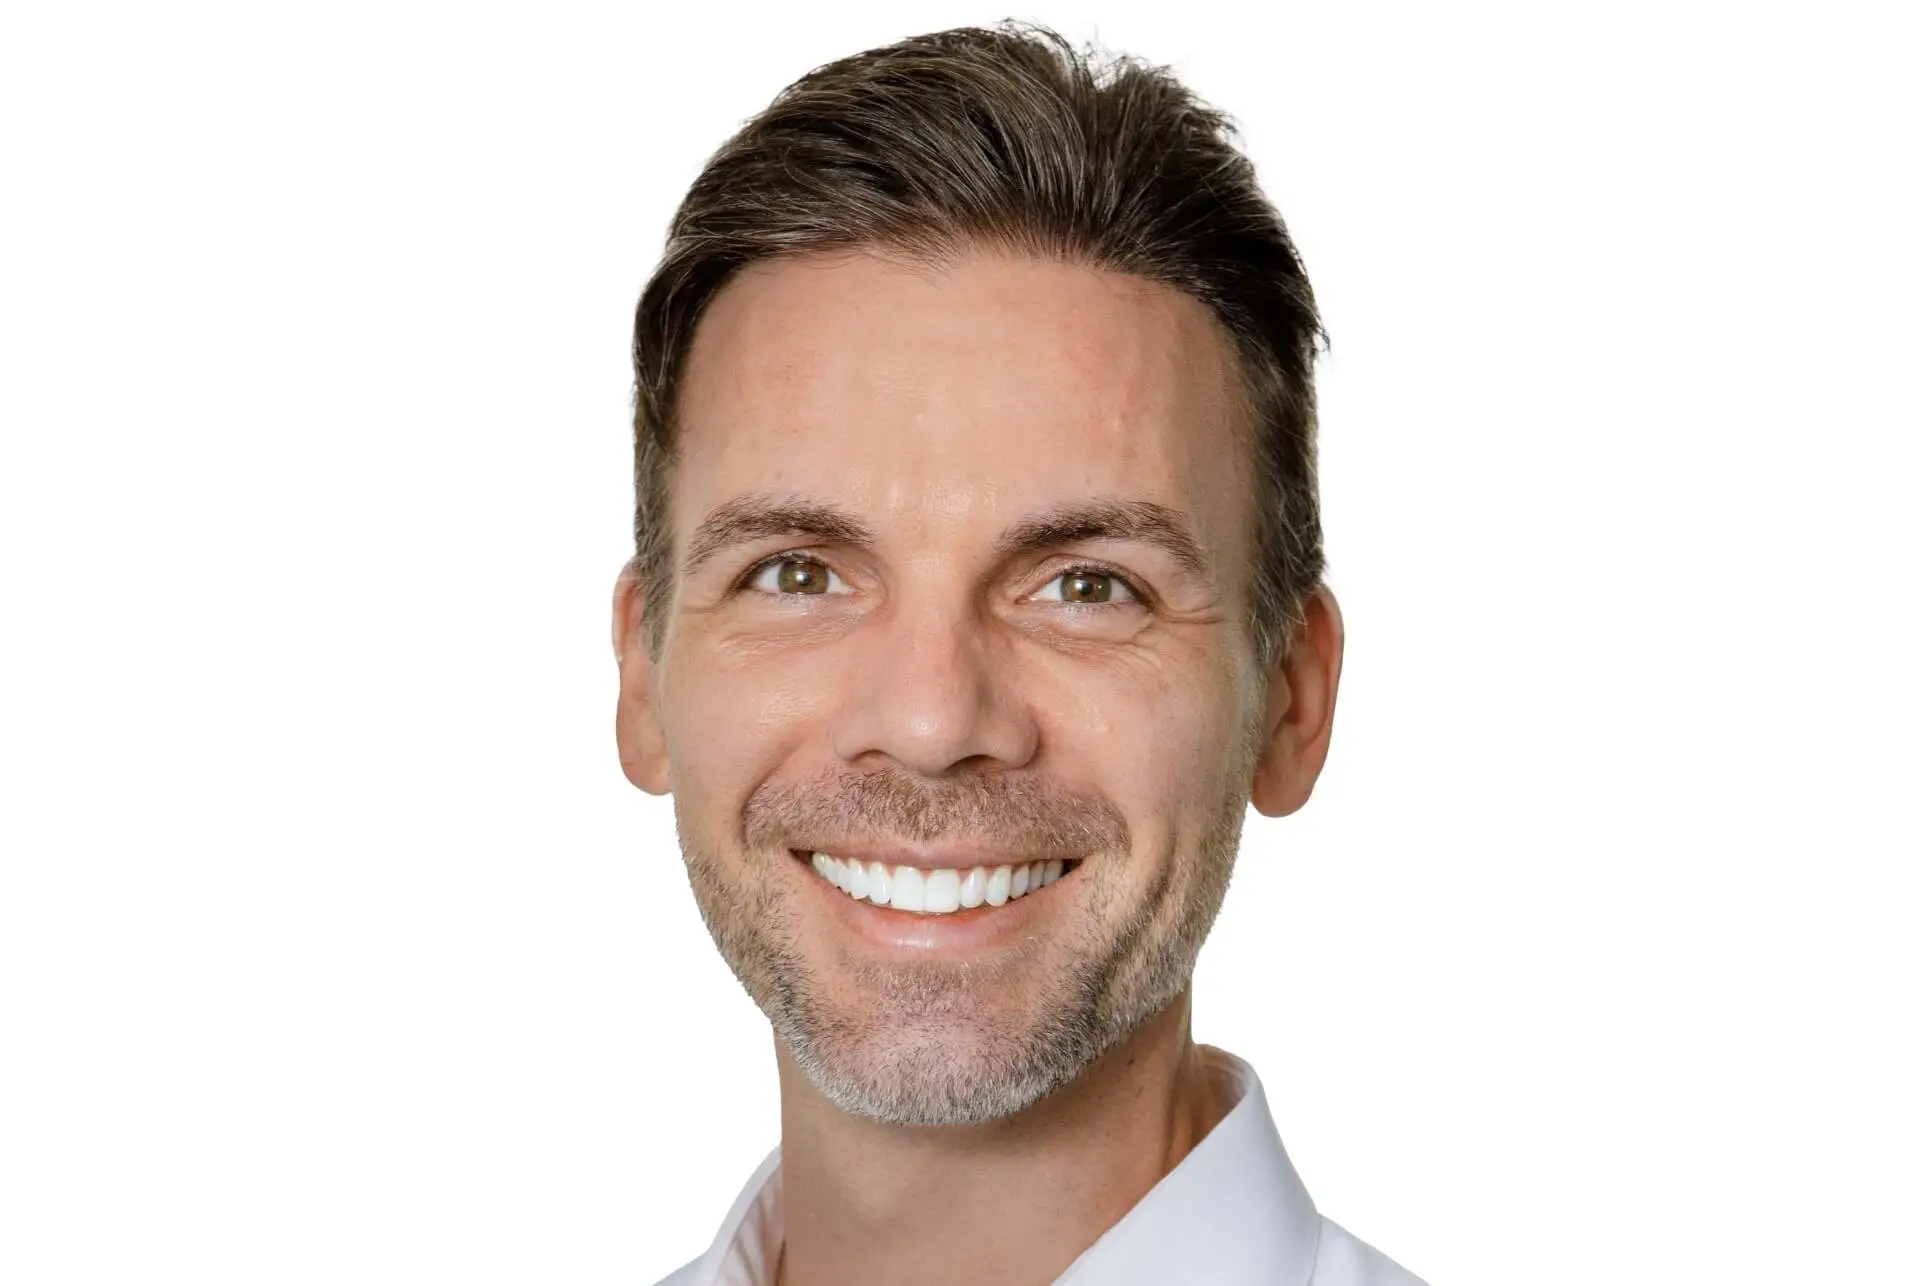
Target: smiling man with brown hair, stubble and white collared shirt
(976,596)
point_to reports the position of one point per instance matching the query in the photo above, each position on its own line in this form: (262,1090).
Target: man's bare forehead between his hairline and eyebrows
(969,391)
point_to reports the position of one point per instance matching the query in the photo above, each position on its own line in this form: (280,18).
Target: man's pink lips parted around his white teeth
(974,932)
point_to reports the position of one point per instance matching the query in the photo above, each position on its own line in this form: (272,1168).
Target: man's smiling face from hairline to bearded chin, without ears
(961,573)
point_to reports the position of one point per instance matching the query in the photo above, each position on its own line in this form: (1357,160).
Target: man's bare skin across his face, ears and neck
(940,408)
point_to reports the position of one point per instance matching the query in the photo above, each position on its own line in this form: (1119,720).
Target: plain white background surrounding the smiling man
(333,943)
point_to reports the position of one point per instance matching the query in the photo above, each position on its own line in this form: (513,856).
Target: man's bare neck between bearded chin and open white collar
(1013,1201)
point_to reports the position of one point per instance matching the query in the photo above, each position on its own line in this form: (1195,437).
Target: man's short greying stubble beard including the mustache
(944,1043)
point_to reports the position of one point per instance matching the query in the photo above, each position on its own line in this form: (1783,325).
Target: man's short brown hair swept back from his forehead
(1003,139)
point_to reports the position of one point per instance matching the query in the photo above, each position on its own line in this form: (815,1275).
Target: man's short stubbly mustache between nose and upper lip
(1015,815)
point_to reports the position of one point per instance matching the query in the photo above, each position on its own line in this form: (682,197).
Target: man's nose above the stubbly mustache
(936,696)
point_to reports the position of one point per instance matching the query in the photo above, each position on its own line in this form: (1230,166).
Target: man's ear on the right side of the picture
(1299,719)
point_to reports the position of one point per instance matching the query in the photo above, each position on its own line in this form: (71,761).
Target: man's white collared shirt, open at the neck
(1232,1214)
